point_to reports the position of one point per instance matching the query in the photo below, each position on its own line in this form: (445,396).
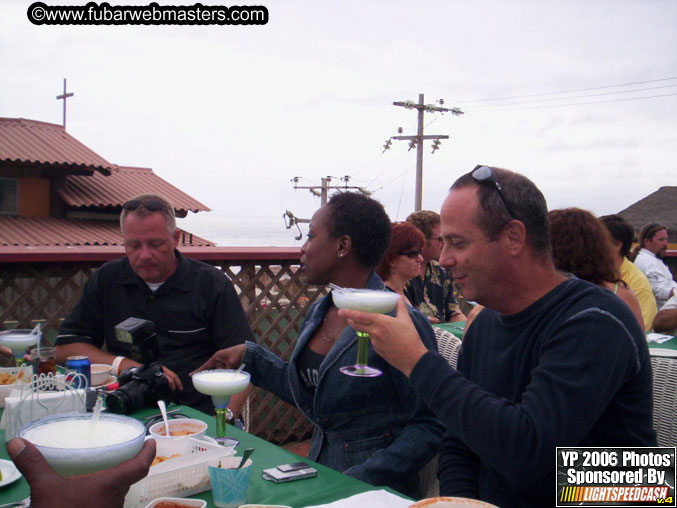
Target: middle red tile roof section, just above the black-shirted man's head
(98,191)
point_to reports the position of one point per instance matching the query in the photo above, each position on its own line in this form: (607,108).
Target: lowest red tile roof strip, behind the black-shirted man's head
(50,231)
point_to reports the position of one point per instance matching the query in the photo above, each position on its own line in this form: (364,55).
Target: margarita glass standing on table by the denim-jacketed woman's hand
(220,384)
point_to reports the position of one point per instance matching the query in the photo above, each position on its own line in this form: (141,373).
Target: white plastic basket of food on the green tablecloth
(178,477)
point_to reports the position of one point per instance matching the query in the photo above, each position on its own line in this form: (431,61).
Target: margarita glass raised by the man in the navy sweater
(366,300)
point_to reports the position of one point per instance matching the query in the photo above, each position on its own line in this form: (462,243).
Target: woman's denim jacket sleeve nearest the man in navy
(418,442)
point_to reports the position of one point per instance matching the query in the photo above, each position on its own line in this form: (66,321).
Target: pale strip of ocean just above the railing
(242,231)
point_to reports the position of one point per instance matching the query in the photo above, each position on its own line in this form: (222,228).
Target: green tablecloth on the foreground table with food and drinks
(329,485)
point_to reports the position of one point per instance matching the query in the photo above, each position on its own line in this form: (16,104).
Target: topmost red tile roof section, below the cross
(46,144)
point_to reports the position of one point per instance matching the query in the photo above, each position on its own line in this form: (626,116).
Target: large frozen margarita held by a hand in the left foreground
(70,460)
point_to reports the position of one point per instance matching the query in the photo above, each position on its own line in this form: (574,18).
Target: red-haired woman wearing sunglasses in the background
(402,260)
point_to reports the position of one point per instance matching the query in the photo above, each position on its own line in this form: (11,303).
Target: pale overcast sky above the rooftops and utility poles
(231,113)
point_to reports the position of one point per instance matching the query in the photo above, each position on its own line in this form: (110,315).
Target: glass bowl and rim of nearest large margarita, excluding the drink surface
(74,461)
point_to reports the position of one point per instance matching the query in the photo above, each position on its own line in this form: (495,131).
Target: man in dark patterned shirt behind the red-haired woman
(432,291)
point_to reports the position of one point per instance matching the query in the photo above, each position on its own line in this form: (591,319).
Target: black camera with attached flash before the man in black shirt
(143,386)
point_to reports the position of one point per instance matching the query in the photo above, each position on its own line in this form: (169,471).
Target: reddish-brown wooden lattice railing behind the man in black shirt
(41,285)
